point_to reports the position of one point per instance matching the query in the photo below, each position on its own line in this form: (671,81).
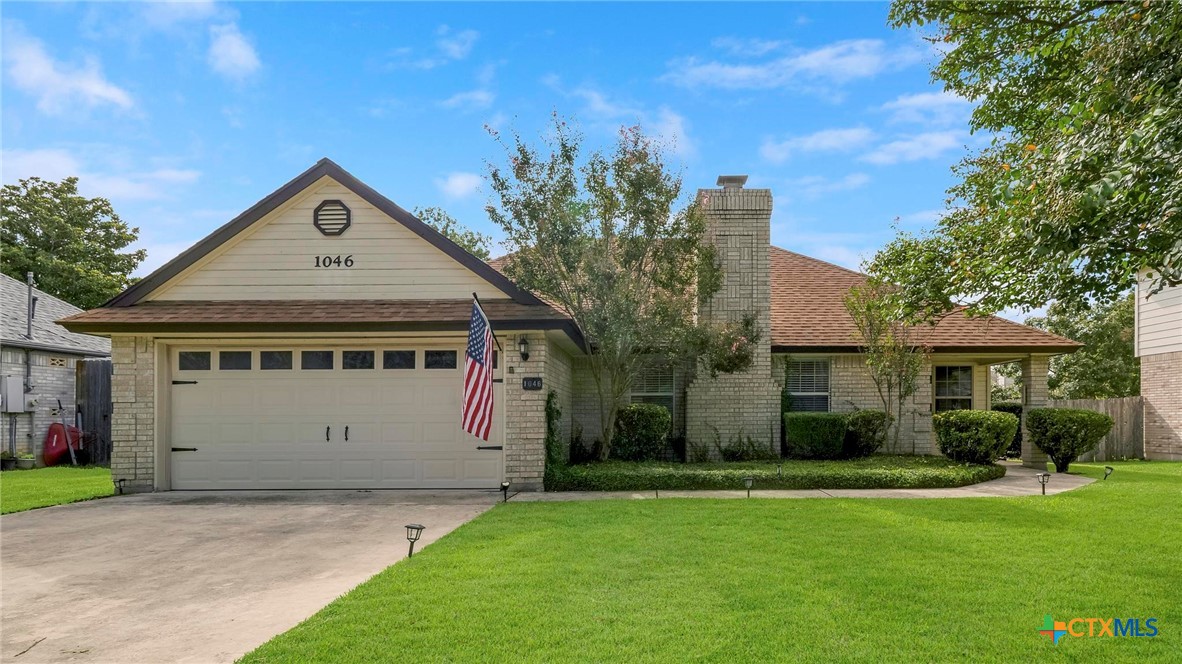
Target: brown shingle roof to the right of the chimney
(809,313)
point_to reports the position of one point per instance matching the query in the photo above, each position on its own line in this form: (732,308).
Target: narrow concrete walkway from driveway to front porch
(1018,481)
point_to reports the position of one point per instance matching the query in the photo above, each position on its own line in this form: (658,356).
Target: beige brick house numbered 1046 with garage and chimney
(317,342)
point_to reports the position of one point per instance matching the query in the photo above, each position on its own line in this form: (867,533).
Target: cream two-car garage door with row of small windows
(326,419)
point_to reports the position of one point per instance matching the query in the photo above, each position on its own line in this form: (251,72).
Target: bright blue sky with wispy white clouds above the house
(186,115)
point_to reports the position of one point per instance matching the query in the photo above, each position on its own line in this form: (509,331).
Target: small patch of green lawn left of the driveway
(43,487)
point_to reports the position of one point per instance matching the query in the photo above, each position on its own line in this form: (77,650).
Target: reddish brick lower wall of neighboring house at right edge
(1161,390)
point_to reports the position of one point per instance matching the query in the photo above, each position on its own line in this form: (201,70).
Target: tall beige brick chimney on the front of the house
(748,405)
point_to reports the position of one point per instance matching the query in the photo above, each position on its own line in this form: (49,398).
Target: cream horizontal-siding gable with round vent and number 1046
(276,259)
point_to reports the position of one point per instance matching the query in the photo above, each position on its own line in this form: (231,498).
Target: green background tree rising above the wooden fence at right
(1106,367)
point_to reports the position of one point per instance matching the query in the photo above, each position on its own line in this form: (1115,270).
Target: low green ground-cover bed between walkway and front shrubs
(878,472)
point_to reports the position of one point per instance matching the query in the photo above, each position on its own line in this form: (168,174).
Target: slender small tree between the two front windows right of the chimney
(894,354)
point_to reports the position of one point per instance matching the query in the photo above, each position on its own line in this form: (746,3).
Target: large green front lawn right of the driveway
(763,581)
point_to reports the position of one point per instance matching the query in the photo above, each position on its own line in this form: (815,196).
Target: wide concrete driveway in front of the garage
(198,576)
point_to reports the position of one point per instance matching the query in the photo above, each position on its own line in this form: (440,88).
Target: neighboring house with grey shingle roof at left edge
(40,362)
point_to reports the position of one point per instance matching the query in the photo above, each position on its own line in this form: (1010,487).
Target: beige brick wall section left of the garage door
(134,418)
